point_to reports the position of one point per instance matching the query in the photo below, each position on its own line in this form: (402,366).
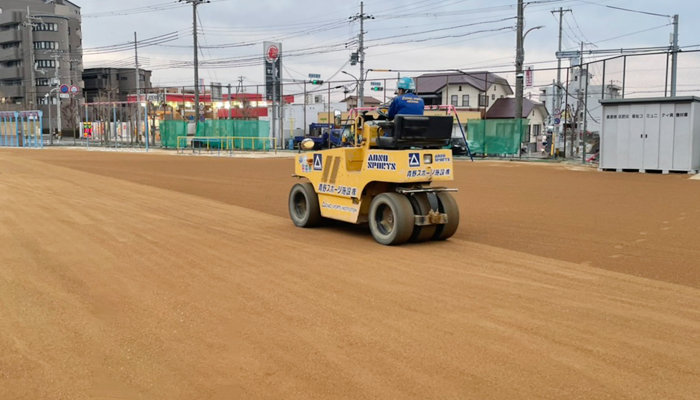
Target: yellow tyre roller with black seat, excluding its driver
(387,174)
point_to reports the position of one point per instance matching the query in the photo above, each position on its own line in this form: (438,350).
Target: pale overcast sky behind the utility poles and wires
(405,34)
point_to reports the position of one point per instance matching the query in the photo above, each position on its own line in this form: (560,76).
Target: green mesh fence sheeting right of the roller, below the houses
(497,136)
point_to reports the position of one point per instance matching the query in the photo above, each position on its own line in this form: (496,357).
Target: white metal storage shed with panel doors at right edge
(654,134)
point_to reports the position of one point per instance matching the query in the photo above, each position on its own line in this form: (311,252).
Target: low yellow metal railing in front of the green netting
(225,144)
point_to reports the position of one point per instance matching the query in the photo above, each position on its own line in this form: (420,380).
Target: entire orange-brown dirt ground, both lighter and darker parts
(131,276)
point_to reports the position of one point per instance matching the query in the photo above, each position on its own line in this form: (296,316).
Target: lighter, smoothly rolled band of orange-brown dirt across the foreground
(152,293)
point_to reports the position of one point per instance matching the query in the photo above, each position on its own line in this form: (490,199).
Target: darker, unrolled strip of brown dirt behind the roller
(571,214)
